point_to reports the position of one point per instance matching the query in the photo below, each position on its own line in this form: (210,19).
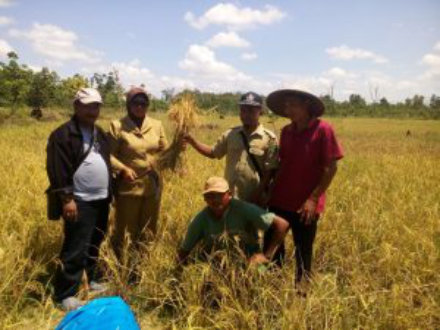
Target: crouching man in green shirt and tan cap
(225,218)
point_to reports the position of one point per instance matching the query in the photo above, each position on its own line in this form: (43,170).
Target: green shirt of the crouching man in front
(240,222)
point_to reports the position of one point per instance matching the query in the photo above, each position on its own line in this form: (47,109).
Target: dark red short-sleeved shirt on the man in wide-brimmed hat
(303,157)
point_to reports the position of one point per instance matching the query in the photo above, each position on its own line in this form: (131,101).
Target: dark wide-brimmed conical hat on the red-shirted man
(276,101)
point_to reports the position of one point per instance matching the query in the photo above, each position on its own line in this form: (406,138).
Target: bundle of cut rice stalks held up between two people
(183,114)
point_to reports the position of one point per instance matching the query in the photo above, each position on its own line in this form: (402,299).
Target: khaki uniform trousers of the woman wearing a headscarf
(137,217)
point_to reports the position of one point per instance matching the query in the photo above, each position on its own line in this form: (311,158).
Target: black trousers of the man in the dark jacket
(80,250)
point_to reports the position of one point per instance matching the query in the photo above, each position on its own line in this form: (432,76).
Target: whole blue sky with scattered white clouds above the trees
(375,48)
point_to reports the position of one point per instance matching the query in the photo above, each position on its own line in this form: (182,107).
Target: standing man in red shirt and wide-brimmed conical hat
(308,155)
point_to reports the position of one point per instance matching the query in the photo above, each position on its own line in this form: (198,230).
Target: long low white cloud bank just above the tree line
(206,72)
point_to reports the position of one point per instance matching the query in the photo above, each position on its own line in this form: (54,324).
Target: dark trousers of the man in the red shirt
(303,238)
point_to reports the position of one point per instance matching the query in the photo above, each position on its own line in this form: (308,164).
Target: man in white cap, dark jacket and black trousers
(78,167)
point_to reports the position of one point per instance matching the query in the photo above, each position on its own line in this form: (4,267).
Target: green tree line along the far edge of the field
(20,86)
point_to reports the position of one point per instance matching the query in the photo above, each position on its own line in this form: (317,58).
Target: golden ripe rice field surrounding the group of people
(377,253)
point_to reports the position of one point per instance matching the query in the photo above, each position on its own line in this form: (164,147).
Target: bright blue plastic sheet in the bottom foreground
(103,313)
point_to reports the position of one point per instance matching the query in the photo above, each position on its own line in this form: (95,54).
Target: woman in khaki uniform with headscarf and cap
(135,142)
